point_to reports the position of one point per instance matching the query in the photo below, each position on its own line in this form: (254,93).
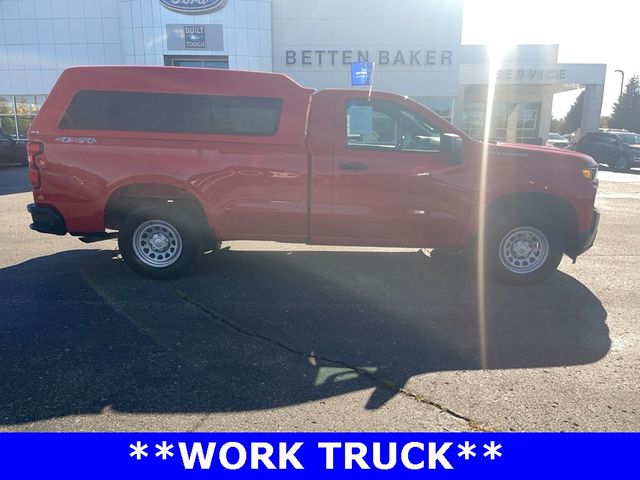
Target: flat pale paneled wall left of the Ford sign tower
(39,38)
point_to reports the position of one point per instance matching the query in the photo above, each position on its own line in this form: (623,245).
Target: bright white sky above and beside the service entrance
(587,31)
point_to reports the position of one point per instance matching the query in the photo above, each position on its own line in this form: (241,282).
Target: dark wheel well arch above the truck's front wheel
(556,208)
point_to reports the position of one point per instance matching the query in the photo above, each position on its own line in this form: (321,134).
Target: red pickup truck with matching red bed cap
(175,160)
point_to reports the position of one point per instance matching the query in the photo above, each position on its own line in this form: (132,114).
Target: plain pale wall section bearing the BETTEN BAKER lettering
(372,25)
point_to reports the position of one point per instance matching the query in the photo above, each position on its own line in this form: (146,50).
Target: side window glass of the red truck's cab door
(381,124)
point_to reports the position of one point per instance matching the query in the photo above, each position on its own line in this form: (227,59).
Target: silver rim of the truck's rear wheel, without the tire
(157,243)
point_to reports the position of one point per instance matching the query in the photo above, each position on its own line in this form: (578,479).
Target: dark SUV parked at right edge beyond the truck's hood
(618,149)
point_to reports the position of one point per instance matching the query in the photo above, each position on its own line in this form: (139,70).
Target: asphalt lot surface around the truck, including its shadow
(266,336)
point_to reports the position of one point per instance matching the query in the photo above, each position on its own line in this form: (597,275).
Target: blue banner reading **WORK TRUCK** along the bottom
(318,456)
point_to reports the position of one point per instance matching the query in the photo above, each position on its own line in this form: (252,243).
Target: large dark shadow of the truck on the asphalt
(260,330)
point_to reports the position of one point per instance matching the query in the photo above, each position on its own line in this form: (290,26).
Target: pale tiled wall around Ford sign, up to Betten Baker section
(40,38)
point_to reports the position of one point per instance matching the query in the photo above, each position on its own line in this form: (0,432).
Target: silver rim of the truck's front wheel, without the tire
(524,250)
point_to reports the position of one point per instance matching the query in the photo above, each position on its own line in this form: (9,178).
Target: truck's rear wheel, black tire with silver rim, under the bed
(178,242)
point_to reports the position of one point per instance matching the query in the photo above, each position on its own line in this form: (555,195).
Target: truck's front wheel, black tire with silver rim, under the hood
(534,235)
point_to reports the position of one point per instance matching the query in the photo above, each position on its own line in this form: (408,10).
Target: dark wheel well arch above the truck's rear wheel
(124,199)
